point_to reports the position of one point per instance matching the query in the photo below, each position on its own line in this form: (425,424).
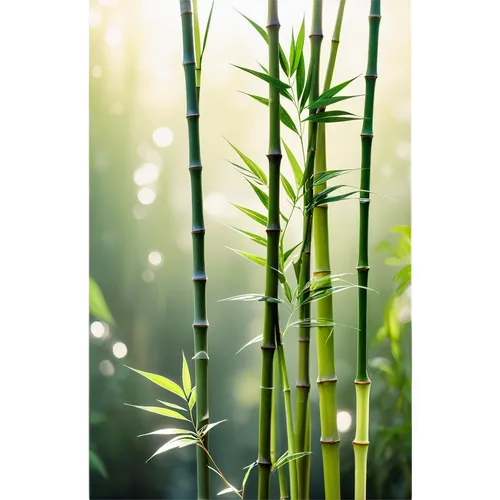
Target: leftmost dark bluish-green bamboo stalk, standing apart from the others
(200,322)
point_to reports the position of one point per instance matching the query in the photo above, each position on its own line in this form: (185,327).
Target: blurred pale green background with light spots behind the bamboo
(140,240)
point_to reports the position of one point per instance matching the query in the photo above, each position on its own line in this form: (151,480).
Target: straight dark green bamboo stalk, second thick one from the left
(272,259)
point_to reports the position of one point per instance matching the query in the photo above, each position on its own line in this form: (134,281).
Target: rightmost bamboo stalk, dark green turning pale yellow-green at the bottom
(361,439)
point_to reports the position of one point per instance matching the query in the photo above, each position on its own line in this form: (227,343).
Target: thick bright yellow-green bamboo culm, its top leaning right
(327,379)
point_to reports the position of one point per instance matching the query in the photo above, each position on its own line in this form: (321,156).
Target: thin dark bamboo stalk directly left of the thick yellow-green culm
(303,381)
